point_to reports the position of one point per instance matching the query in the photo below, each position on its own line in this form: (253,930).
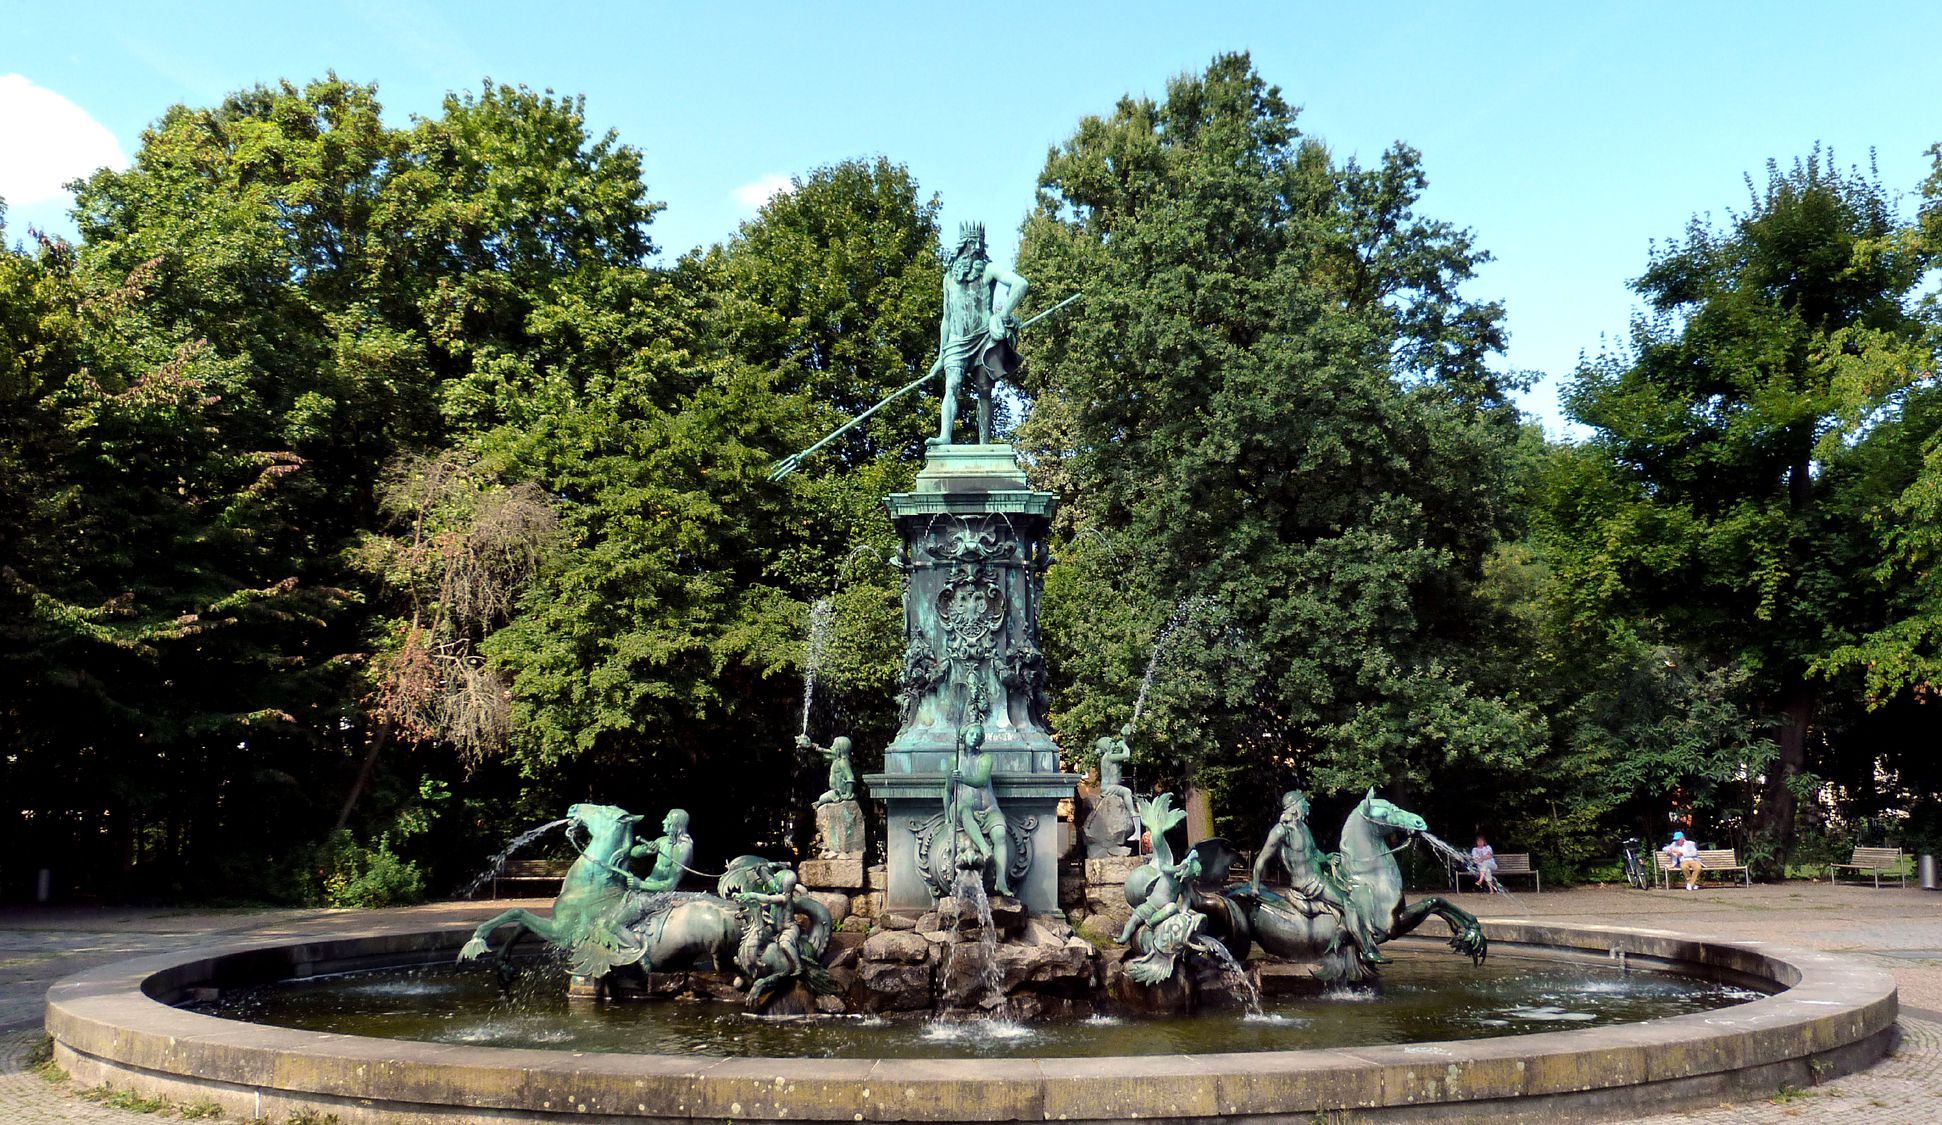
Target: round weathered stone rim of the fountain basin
(116,1025)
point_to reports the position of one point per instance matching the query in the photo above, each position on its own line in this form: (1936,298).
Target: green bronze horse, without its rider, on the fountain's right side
(1300,928)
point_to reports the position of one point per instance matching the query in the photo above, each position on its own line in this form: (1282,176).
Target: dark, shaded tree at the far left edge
(156,644)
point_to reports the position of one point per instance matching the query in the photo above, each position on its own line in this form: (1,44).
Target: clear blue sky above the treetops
(1568,137)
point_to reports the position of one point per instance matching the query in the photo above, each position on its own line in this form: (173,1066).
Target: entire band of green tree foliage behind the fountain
(349,467)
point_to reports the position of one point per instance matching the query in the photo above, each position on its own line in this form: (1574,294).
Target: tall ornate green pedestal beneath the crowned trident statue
(974,564)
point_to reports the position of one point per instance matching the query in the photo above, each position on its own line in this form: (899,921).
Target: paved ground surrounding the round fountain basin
(1898,930)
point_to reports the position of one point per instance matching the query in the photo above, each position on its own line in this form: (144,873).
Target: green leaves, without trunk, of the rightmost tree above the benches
(1755,454)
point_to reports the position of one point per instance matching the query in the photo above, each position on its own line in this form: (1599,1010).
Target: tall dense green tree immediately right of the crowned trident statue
(1275,401)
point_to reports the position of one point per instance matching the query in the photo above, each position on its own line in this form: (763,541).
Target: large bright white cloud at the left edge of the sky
(48,141)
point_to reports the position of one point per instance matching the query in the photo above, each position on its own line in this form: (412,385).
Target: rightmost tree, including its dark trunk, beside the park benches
(1733,428)
